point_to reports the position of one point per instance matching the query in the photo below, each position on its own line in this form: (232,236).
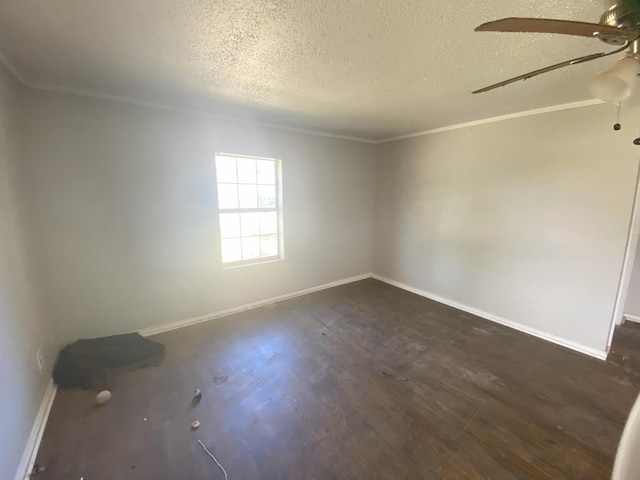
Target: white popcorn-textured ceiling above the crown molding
(364,68)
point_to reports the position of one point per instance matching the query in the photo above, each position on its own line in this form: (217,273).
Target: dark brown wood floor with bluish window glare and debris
(363,381)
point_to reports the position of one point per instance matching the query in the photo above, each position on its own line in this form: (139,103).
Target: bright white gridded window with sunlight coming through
(249,202)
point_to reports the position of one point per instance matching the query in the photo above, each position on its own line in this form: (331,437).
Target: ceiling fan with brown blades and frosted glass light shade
(618,26)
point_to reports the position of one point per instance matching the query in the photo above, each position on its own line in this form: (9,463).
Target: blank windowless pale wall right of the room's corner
(524,219)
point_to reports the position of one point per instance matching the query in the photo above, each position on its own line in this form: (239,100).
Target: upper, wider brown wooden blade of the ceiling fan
(566,27)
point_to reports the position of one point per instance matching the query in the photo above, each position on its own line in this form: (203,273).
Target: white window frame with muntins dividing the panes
(277,209)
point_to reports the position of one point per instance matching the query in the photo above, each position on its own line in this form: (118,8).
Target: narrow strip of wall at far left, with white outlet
(23,328)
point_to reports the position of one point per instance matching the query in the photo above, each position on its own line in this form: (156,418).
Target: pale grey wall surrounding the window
(126,199)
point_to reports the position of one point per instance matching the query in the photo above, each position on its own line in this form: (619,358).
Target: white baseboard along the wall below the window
(166,327)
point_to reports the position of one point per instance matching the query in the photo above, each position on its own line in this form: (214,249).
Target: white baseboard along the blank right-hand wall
(600,354)
